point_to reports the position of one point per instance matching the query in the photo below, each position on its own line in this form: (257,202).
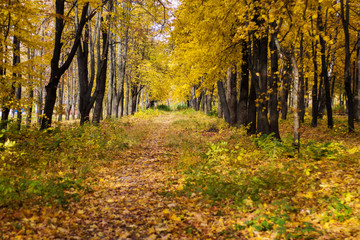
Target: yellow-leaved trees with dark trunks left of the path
(116,48)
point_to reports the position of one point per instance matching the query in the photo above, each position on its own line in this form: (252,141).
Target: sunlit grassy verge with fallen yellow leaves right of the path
(275,191)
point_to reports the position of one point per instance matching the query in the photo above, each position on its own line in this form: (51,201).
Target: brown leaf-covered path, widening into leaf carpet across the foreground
(133,197)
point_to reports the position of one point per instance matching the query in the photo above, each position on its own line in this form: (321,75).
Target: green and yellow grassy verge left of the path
(49,166)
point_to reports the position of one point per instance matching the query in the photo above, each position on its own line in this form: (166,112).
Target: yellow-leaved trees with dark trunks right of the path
(279,52)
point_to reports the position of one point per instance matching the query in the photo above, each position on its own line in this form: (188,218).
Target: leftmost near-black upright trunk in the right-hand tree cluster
(244,86)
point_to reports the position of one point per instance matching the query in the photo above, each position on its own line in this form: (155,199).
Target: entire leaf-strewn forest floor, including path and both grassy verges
(179,175)
